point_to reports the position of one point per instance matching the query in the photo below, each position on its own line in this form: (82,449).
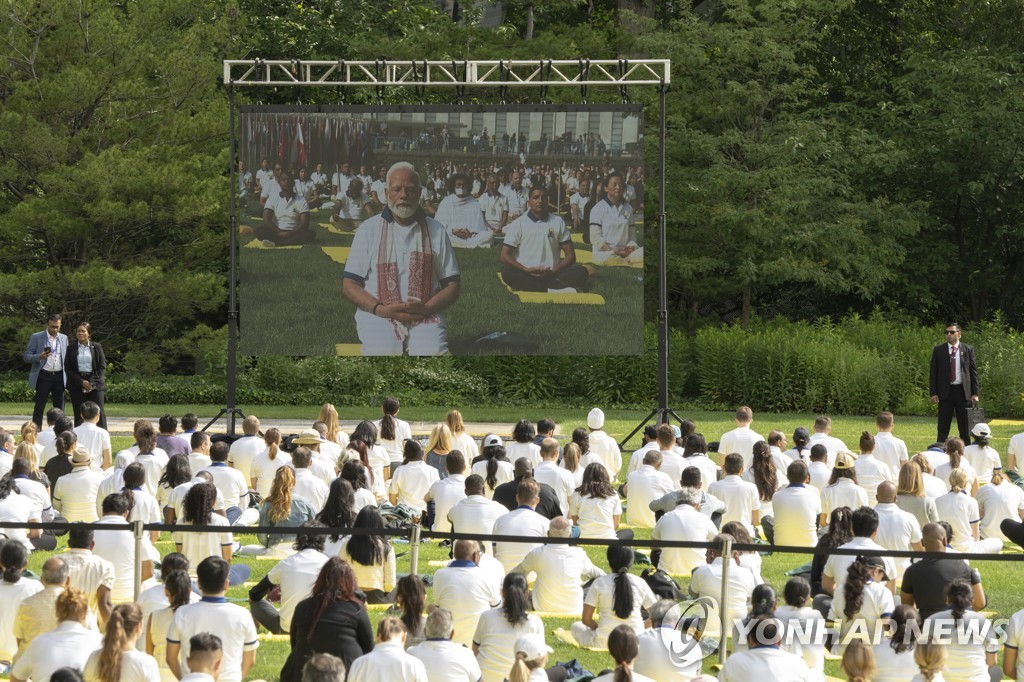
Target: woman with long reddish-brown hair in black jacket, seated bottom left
(333,620)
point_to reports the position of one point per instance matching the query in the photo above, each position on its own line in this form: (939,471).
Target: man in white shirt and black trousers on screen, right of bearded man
(533,243)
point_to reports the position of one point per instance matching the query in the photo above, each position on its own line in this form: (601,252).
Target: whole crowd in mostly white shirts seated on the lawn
(483,615)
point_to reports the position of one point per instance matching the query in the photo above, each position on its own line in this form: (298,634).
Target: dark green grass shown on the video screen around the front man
(275,281)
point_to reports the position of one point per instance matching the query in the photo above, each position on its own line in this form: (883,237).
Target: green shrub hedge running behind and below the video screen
(855,366)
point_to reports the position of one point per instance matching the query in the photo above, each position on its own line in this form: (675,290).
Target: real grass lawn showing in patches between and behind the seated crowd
(1002,581)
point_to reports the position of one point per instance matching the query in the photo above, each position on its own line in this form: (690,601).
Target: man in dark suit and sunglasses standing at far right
(954,382)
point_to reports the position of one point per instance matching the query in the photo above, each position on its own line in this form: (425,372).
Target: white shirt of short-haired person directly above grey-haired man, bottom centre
(467,591)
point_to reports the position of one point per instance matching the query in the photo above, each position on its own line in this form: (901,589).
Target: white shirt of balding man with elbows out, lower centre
(561,570)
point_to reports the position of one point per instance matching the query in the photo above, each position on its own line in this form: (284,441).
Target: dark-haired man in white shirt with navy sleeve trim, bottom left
(214,614)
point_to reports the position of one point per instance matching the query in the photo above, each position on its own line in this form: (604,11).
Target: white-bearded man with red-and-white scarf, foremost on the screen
(402,275)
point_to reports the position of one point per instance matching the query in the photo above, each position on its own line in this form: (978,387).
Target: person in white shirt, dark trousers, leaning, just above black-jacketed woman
(295,576)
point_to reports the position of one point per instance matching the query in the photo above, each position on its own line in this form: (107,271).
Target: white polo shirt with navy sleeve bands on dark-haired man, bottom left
(232,623)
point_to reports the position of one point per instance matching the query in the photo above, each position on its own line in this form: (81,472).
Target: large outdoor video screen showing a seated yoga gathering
(348,263)
